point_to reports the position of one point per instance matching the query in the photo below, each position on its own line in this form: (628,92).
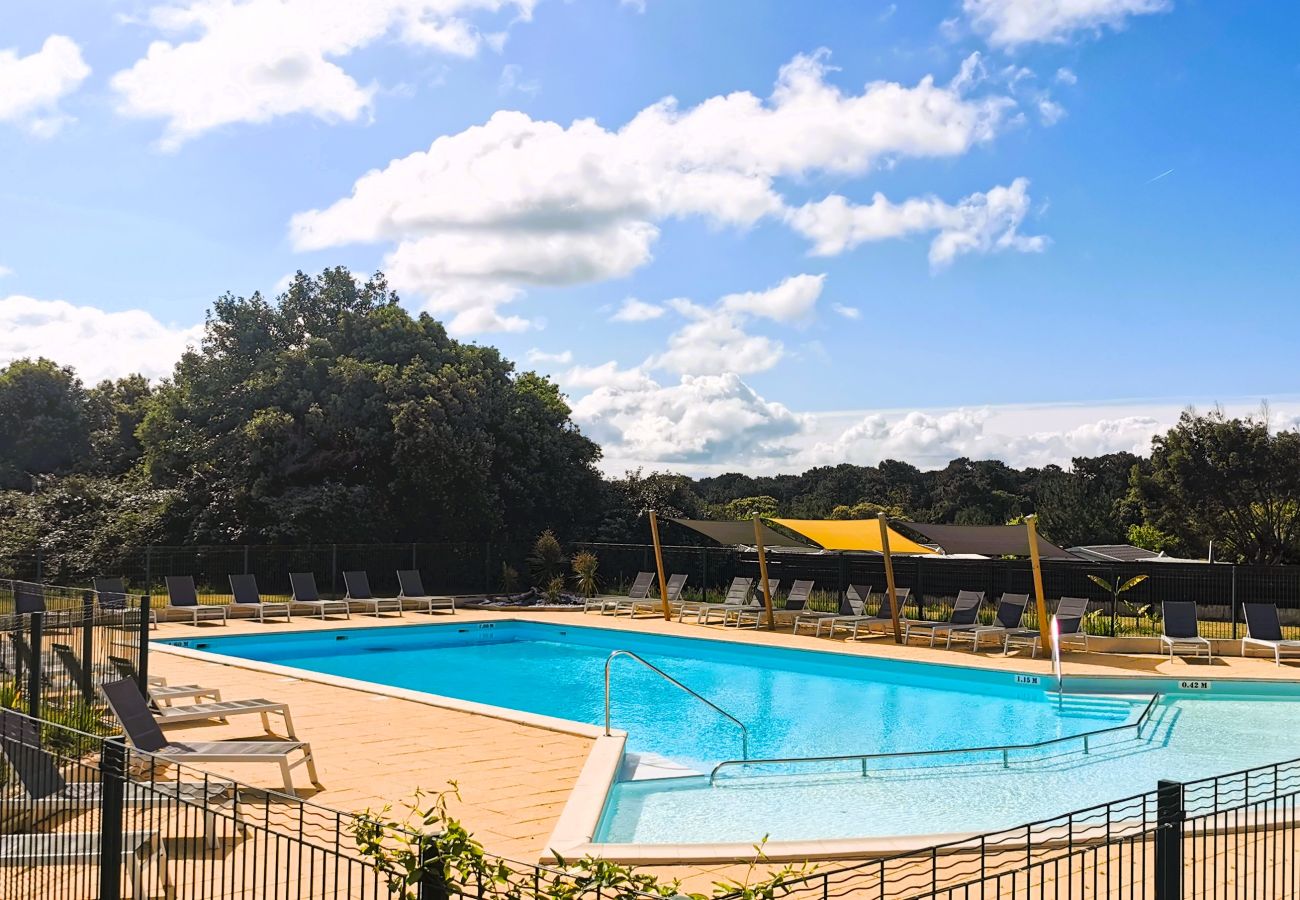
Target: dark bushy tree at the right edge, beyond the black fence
(1233,482)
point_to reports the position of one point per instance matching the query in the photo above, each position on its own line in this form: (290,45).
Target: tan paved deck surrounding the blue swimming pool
(515,777)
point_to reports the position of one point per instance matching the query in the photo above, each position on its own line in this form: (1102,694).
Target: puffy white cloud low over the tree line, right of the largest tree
(703,418)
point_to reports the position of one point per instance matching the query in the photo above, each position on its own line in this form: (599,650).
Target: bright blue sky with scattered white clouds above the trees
(748,236)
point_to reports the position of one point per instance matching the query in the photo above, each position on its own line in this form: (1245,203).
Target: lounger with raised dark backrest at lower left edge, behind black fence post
(50,794)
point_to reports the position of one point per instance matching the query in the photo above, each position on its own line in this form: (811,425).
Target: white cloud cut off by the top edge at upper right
(1013,23)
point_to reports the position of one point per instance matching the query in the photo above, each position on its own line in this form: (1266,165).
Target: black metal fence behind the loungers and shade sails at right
(1219,590)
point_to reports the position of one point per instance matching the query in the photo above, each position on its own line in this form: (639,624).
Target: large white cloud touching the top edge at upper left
(257,60)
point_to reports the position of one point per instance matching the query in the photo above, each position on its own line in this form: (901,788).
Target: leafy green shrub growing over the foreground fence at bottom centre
(437,847)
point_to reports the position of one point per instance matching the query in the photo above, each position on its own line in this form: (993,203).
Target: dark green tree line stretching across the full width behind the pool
(333,416)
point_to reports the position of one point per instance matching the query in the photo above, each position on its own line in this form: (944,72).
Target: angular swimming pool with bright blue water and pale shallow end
(799,703)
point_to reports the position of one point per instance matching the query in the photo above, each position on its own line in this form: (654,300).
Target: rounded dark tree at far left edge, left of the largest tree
(44,422)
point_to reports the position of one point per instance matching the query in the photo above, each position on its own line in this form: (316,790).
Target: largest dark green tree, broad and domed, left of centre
(333,416)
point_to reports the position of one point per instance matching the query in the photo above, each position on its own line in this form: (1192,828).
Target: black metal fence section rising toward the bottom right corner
(1232,837)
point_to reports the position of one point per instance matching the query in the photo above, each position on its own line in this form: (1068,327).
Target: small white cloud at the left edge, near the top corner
(32,86)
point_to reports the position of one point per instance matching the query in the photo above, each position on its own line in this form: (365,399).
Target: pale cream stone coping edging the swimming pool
(580,819)
